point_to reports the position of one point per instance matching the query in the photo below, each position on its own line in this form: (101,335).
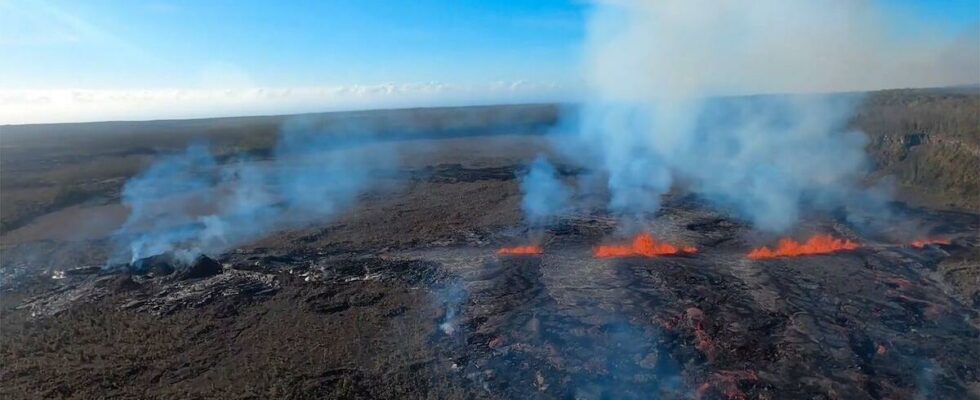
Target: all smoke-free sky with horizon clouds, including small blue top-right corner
(83,52)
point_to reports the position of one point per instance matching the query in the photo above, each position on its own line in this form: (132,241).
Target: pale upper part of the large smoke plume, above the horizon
(696,48)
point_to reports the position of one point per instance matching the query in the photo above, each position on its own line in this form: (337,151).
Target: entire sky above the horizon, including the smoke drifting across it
(116,60)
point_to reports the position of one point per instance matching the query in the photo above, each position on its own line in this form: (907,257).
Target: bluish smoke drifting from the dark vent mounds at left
(190,204)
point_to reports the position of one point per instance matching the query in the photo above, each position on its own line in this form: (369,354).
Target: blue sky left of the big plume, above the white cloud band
(138,44)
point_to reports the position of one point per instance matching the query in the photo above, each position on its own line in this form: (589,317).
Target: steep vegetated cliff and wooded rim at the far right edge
(928,141)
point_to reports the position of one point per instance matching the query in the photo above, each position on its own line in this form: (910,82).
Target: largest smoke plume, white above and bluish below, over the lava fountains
(658,115)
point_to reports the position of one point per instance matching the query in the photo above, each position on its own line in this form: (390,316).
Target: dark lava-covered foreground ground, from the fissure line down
(456,320)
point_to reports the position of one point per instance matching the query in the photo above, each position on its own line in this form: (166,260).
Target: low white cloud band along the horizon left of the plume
(78,105)
